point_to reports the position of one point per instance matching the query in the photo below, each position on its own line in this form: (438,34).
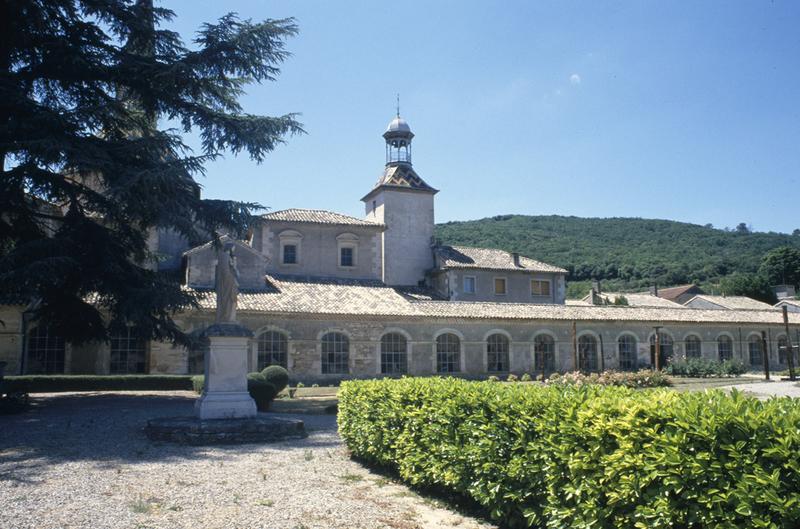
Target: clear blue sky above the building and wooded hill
(678,110)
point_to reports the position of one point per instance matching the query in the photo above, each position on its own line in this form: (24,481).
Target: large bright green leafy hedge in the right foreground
(585,455)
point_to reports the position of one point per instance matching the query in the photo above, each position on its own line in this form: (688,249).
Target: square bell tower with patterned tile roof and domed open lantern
(404,203)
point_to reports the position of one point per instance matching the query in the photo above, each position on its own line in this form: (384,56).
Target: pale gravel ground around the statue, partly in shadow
(82,460)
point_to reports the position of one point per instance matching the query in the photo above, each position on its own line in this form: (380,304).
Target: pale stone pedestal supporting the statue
(225,394)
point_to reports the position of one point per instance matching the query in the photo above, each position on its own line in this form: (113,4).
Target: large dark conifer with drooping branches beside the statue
(88,173)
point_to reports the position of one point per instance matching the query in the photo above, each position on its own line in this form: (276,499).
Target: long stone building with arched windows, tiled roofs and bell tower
(330,296)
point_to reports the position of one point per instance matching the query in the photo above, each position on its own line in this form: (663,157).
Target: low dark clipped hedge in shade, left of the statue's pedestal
(58,383)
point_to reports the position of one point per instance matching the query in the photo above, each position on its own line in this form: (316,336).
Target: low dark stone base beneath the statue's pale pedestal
(193,431)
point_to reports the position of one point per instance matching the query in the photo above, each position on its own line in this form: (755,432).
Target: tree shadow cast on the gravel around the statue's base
(107,428)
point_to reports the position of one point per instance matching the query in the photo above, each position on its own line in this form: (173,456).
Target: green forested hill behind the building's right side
(627,253)
